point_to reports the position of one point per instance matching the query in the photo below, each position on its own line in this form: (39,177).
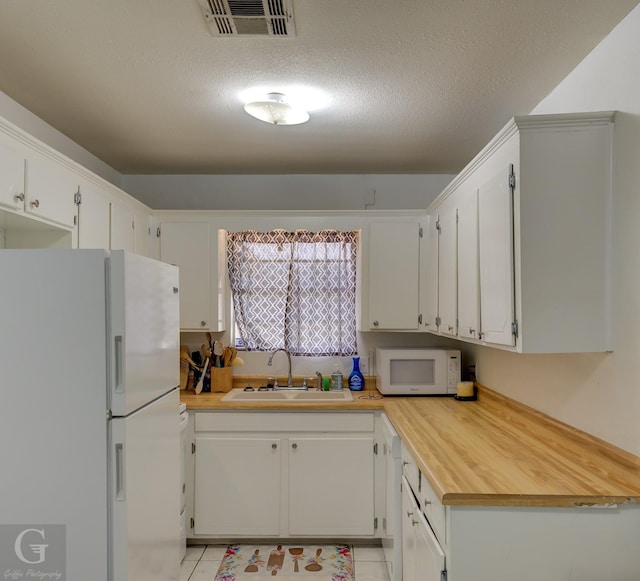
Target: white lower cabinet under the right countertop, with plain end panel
(503,543)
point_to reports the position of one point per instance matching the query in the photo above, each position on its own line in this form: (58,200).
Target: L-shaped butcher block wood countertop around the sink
(490,452)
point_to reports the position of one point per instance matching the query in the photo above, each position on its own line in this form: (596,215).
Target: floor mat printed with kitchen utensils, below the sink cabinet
(310,562)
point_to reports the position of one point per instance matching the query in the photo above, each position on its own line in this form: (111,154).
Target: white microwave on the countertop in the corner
(417,371)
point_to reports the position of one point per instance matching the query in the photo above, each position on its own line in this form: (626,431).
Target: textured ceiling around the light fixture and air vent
(412,85)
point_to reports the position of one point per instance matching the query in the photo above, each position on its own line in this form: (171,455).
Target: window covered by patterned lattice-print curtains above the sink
(295,290)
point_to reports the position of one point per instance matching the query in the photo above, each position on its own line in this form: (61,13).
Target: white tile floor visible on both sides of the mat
(201,563)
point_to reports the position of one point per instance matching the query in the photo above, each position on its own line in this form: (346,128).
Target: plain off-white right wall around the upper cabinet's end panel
(598,393)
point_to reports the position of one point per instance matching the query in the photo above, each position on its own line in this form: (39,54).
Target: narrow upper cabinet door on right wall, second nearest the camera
(468,272)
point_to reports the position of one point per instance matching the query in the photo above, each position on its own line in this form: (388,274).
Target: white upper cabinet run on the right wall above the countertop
(534,236)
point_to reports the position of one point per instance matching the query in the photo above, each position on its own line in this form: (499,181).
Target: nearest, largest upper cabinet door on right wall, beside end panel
(495,239)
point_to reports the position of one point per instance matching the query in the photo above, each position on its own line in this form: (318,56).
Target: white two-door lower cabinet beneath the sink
(284,474)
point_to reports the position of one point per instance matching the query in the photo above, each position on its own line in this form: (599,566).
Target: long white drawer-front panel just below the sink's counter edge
(250,421)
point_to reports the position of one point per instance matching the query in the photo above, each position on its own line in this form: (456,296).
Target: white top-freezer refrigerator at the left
(89,414)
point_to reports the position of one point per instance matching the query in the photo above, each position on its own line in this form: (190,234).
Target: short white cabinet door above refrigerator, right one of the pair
(50,190)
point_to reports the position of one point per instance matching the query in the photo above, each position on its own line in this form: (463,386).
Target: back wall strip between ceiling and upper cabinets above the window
(286,192)
